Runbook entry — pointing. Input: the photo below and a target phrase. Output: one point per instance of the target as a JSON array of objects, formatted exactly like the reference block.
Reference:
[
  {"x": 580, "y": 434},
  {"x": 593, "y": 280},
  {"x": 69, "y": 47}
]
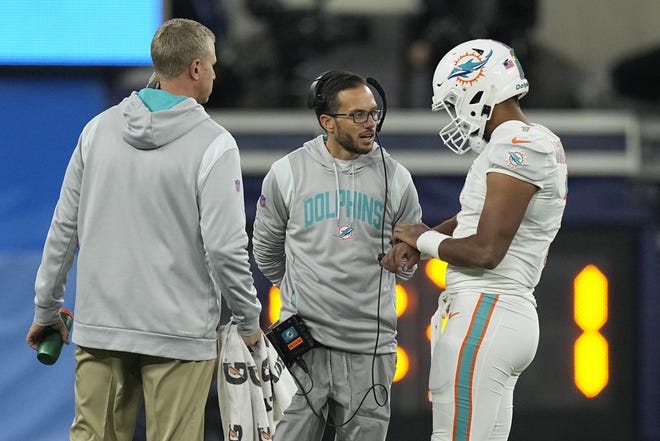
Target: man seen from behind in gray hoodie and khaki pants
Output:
[{"x": 152, "y": 201}]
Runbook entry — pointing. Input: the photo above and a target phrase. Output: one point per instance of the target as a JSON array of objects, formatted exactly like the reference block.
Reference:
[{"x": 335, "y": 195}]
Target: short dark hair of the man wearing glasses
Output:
[{"x": 327, "y": 86}]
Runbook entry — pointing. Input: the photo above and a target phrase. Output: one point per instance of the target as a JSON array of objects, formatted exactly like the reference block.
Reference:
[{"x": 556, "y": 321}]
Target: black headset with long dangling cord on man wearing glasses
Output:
[{"x": 316, "y": 99}]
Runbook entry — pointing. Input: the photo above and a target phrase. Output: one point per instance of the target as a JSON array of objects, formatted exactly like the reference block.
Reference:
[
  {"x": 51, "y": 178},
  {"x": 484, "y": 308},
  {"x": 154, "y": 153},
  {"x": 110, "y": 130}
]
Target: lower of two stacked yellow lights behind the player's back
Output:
[{"x": 591, "y": 363}]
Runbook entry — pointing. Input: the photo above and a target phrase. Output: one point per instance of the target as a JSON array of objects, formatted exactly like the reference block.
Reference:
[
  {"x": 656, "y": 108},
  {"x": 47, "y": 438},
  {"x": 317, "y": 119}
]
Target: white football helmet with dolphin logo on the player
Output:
[{"x": 468, "y": 82}]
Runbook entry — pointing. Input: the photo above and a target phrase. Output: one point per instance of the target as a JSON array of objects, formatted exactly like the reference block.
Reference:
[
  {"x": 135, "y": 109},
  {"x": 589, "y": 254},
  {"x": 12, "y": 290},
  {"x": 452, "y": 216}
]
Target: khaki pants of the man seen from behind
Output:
[{"x": 111, "y": 386}]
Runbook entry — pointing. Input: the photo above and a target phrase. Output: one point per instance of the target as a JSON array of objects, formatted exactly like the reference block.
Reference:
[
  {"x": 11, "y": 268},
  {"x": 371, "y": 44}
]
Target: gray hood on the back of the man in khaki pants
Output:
[{"x": 147, "y": 130}]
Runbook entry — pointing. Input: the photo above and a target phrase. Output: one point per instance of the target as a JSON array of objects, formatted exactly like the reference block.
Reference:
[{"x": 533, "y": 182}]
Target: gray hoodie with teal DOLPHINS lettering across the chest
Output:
[{"x": 317, "y": 235}]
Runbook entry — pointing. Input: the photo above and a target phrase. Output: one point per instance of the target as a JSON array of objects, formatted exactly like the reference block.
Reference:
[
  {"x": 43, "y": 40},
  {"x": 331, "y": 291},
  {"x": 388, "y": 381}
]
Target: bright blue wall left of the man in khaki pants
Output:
[{"x": 41, "y": 120}]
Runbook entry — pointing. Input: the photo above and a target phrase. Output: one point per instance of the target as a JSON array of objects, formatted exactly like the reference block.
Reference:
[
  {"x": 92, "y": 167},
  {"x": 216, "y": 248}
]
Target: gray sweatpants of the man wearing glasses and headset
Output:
[{"x": 337, "y": 385}]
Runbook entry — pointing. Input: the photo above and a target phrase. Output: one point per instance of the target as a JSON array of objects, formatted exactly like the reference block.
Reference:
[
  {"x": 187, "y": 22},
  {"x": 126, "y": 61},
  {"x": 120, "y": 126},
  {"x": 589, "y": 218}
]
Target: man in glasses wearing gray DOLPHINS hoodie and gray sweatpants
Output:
[{"x": 326, "y": 213}]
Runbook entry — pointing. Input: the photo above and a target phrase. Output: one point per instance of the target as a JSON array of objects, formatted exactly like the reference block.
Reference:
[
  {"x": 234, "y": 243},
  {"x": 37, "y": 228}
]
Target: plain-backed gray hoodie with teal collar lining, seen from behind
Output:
[{"x": 153, "y": 202}]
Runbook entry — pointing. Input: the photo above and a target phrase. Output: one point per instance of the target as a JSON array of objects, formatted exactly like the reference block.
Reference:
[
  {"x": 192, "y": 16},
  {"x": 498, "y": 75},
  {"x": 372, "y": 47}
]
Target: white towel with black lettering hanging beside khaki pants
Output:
[{"x": 254, "y": 388}]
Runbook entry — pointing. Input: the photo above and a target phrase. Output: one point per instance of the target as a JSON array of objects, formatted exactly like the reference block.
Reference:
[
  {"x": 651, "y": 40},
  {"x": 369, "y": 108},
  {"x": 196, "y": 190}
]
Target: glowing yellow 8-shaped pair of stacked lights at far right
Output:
[{"x": 590, "y": 312}]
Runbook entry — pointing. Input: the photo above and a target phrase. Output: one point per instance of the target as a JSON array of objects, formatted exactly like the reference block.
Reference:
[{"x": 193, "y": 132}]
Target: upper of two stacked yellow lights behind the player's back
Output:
[{"x": 590, "y": 301}]
